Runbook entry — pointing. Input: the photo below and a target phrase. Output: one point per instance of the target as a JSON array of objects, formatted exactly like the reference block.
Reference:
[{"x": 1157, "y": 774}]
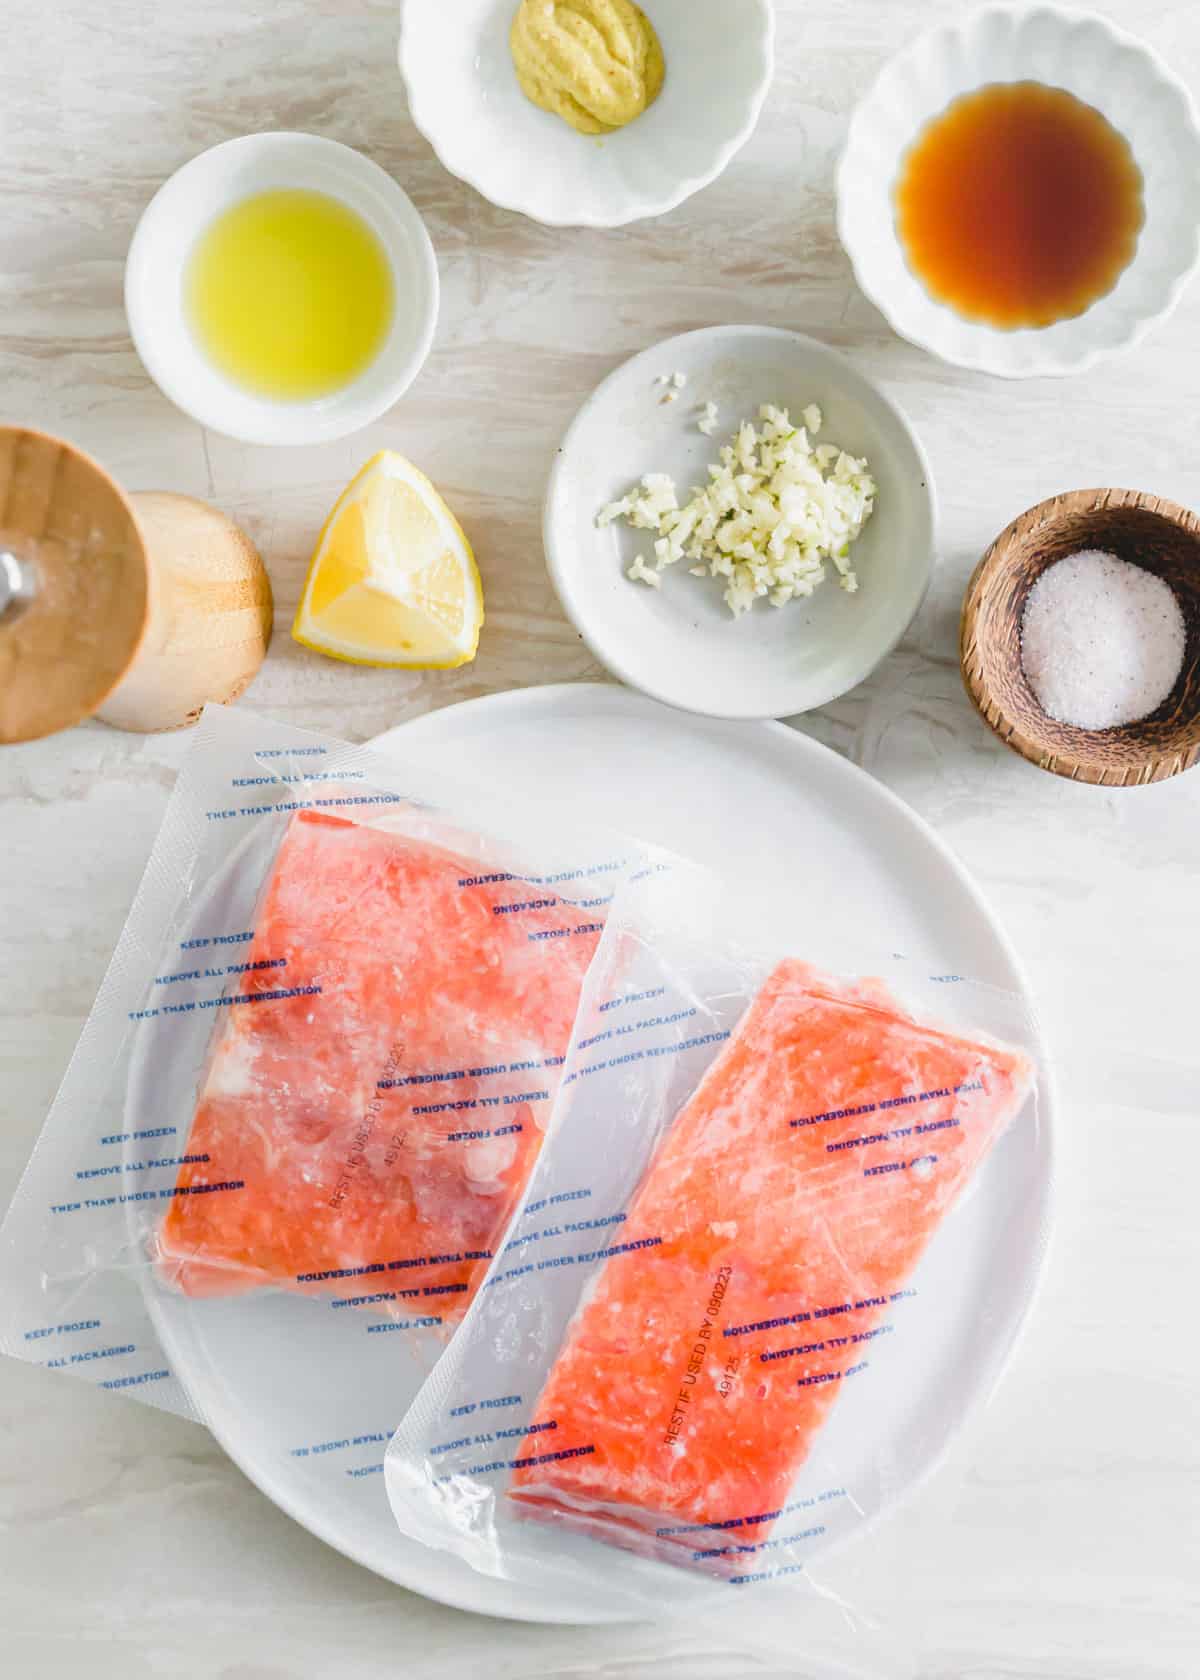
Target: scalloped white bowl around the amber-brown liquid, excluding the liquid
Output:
[{"x": 1097, "y": 63}]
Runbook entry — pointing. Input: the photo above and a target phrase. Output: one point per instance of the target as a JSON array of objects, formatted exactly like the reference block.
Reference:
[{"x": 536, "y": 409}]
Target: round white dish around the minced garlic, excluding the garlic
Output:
[{"x": 680, "y": 644}]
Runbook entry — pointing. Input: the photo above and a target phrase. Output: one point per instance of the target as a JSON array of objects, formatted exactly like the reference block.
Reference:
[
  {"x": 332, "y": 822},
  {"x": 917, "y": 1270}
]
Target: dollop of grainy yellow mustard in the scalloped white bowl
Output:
[{"x": 594, "y": 63}]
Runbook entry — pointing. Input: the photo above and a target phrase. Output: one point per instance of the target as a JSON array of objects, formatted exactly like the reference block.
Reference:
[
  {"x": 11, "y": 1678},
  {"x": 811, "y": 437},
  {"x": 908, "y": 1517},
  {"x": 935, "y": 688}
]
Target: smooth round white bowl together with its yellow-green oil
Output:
[{"x": 282, "y": 290}]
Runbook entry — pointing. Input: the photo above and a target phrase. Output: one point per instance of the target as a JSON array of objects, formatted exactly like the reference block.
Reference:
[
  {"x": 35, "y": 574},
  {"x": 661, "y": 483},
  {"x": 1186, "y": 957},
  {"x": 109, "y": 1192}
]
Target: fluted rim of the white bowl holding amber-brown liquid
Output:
[{"x": 991, "y": 357}]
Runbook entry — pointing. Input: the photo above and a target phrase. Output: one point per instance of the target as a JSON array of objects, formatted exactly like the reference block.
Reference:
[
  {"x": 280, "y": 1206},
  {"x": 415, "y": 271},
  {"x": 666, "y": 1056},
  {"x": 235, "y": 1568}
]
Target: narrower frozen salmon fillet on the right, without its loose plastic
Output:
[{"x": 786, "y": 1207}]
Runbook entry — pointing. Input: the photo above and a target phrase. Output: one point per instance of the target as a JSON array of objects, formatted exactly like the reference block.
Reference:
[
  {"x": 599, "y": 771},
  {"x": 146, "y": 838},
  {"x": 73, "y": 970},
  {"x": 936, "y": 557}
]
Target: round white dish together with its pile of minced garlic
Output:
[{"x": 739, "y": 523}]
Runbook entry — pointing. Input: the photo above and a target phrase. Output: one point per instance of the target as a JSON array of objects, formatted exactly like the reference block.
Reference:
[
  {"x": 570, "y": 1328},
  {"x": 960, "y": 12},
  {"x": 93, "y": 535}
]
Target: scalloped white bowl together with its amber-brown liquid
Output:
[{"x": 1021, "y": 191}]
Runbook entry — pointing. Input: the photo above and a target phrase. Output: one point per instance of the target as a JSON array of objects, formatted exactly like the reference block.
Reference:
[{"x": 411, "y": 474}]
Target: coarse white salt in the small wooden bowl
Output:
[{"x": 1102, "y": 641}]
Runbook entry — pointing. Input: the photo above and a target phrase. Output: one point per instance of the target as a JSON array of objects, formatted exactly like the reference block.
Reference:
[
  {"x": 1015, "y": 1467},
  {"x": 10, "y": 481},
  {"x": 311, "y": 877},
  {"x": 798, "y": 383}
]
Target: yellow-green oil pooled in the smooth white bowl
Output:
[{"x": 290, "y": 295}]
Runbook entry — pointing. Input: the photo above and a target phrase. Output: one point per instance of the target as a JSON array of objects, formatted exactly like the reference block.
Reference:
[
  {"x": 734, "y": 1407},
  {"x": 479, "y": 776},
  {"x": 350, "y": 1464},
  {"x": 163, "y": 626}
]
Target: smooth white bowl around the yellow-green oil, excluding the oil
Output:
[{"x": 187, "y": 204}]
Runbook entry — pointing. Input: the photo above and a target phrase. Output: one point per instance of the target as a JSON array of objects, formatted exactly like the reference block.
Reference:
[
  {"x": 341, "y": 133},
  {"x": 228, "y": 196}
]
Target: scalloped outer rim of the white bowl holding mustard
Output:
[{"x": 641, "y": 209}]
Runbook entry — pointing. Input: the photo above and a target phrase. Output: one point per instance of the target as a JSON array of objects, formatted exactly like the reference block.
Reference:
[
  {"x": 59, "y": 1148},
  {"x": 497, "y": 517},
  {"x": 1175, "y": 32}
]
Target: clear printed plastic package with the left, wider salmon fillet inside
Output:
[{"x": 320, "y": 1068}]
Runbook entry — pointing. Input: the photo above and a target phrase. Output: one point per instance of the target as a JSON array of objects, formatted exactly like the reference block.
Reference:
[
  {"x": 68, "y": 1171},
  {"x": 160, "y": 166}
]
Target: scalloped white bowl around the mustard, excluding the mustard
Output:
[{"x": 465, "y": 98}]
